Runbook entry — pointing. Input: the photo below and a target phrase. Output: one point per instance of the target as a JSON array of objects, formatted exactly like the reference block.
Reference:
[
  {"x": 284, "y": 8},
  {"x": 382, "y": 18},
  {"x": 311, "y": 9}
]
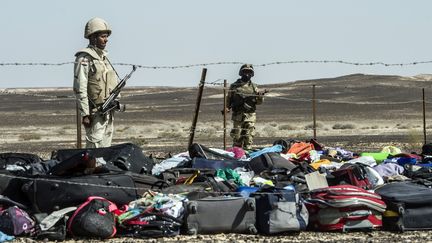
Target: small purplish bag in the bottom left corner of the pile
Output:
[{"x": 15, "y": 221}]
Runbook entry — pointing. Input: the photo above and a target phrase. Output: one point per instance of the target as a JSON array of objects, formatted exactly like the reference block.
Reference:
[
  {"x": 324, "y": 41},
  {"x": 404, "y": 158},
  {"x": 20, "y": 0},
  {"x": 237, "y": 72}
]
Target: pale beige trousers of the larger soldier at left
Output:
[{"x": 100, "y": 133}]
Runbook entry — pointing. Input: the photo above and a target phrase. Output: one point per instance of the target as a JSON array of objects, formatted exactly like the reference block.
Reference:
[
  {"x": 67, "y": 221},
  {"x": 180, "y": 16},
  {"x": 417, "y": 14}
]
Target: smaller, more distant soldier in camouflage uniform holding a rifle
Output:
[{"x": 243, "y": 96}]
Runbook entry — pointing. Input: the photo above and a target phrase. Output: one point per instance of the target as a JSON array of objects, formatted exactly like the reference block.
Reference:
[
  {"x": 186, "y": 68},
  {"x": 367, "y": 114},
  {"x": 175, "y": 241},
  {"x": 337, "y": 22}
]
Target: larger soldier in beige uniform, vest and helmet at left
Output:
[{"x": 94, "y": 79}]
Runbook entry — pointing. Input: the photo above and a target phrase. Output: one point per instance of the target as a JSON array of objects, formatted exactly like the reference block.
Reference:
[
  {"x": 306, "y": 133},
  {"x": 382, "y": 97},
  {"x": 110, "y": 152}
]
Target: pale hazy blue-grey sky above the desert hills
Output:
[{"x": 176, "y": 32}]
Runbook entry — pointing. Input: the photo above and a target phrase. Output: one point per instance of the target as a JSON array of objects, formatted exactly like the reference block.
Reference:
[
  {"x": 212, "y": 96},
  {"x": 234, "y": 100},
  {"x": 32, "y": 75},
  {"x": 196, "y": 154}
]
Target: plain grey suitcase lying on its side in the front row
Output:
[{"x": 221, "y": 215}]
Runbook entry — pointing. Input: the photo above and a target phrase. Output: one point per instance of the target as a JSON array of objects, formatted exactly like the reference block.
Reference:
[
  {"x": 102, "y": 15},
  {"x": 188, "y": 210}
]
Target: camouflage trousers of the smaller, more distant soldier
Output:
[{"x": 243, "y": 130}]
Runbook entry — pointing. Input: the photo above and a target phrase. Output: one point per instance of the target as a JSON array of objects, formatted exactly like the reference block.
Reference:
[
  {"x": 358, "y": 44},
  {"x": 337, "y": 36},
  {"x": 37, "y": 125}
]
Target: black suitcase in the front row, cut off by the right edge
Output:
[{"x": 409, "y": 206}]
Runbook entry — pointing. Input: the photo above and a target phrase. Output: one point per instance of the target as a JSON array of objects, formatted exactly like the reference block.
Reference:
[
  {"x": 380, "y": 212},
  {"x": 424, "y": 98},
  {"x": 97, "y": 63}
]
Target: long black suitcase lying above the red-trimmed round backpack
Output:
[{"x": 48, "y": 194}]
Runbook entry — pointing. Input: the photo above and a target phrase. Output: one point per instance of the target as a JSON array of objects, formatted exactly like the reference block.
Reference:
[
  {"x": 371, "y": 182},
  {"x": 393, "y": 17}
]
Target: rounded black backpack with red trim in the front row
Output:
[{"x": 94, "y": 218}]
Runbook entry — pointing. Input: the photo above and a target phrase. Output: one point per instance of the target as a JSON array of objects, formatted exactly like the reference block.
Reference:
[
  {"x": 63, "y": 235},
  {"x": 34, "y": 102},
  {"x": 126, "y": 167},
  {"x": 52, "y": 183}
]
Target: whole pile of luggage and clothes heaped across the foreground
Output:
[{"x": 291, "y": 186}]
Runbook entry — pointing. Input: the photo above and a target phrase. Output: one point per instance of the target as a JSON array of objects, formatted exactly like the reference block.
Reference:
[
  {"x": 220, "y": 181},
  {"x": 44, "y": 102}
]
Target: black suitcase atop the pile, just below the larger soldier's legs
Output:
[{"x": 127, "y": 156}]
